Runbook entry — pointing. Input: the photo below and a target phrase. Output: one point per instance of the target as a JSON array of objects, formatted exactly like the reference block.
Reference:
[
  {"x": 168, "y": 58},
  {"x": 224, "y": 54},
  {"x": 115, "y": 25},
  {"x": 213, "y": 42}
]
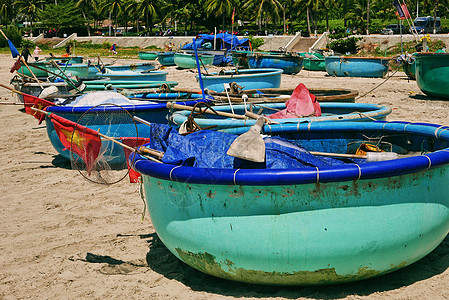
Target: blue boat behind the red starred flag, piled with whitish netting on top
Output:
[{"x": 108, "y": 119}]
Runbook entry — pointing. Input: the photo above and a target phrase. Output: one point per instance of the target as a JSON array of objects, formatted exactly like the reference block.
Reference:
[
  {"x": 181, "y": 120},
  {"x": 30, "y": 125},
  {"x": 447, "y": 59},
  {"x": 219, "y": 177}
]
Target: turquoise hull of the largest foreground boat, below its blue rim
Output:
[{"x": 309, "y": 234}]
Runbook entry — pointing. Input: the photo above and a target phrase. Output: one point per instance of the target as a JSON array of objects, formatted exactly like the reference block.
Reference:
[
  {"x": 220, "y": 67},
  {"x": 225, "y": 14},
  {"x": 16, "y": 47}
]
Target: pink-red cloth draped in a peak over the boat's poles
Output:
[{"x": 301, "y": 104}]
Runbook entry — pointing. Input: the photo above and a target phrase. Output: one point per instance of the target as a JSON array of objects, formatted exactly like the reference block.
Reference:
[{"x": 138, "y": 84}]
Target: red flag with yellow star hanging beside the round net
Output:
[{"x": 83, "y": 141}]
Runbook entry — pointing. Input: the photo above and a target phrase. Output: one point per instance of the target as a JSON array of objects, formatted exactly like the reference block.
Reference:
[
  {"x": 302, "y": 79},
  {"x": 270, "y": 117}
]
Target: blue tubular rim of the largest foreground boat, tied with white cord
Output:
[{"x": 272, "y": 177}]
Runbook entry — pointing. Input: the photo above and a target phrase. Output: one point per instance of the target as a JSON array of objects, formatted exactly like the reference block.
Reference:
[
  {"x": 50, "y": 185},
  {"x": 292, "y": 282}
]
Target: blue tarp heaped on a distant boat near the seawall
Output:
[{"x": 224, "y": 41}]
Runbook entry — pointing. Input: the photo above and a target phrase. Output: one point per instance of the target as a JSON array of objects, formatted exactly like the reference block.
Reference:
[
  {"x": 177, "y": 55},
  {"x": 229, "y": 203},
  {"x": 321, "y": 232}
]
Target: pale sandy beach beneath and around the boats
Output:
[{"x": 63, "y": 237}]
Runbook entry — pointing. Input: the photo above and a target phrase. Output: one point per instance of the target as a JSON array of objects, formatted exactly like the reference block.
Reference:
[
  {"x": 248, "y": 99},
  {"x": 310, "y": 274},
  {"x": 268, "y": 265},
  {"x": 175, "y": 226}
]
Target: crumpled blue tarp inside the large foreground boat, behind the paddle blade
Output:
[{"x": 207, "y": 149}]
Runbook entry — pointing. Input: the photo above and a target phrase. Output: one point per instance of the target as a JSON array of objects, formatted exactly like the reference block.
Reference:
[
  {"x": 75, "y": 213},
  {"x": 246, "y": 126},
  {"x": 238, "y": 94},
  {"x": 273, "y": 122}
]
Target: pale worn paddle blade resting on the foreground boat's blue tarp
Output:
[{"x": 250, "y": 145}]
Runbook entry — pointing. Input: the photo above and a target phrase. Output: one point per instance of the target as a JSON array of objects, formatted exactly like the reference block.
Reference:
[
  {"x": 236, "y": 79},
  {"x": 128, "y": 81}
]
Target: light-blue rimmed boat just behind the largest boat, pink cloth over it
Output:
[{"x": 329, "y": 112}]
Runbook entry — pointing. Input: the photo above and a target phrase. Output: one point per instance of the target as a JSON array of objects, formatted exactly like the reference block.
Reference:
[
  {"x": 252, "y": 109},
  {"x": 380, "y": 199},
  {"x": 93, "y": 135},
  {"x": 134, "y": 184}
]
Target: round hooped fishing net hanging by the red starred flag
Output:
[{"x": 105, "y": 164}]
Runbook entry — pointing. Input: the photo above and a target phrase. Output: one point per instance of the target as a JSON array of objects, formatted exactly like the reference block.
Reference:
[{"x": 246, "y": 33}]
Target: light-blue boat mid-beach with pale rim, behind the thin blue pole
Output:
[{"x": 247, "y": 78}]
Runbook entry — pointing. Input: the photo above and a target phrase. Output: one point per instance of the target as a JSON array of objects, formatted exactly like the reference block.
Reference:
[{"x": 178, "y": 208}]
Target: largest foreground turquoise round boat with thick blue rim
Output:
[{"x": 308, "y": 226}]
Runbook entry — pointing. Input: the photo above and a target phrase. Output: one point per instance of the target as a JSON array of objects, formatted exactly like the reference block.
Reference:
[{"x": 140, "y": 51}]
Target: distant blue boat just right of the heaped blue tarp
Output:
[{"x": 288, "y": 62}]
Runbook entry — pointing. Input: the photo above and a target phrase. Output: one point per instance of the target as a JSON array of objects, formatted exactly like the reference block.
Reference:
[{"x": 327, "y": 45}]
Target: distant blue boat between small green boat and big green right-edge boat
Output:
[{"x": 350, "y": 66}]
